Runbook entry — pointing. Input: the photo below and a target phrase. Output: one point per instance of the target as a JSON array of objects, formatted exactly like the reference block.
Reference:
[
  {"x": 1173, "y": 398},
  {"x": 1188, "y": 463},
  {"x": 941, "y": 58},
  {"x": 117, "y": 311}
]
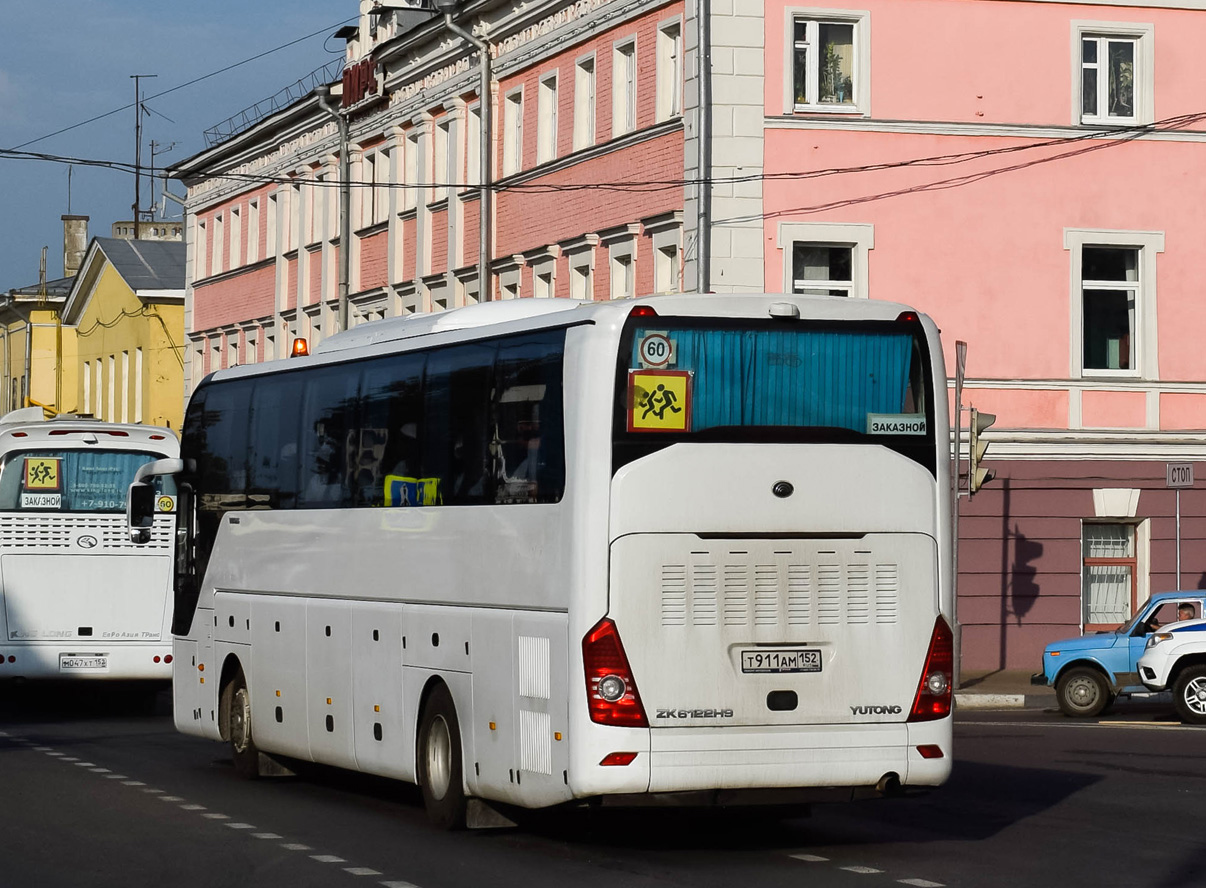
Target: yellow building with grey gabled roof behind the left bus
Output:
[{"x": 127, "y": 307}]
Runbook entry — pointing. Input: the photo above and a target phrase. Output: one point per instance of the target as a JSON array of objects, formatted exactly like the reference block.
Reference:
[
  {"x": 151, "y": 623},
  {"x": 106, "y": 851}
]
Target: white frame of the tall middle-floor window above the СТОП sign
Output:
[{"x": 1150, "y": 244}]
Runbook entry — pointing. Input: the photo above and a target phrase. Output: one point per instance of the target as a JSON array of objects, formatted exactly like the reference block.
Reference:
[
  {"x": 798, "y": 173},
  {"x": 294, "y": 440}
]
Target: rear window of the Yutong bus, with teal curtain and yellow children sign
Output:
[{"x": 803, "y": 382}]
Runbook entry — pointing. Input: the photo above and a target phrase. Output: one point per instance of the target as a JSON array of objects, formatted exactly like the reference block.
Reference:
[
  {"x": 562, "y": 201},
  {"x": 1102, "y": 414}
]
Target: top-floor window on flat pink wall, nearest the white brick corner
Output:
[{"x": 829, "y": 62}]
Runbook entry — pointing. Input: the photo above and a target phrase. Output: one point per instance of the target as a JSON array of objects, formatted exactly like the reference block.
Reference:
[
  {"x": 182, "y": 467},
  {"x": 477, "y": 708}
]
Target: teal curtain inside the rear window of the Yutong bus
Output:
[{"x": 793, "y": 378}]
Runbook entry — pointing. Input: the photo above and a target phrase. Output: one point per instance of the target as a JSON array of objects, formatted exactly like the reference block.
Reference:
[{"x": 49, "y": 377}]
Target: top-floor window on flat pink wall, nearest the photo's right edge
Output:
[{"x": 1114, "y": 73}]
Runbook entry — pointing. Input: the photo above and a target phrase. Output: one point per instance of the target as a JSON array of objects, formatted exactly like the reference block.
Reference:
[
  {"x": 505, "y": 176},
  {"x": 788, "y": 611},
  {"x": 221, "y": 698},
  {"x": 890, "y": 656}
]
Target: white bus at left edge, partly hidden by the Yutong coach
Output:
[{"x": 78, "y": 598}]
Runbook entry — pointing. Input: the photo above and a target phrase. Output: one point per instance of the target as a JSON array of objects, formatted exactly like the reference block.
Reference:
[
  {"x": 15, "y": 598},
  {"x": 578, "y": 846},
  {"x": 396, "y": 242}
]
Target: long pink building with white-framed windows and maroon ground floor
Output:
[{"x": 1023, "y": 171}]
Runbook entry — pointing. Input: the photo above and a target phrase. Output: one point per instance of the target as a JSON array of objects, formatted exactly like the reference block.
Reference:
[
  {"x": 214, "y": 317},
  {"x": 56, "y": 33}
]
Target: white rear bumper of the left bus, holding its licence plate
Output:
[{"x": 86, "y": 662}]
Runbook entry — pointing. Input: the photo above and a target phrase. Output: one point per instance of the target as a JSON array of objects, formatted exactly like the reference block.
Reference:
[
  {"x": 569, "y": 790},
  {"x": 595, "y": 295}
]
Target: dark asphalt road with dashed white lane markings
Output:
[{"x": 97, "y": 791}]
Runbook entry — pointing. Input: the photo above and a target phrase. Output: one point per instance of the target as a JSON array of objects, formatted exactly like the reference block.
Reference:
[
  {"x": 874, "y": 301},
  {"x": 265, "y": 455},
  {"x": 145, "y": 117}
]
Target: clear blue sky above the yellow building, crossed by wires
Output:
[{"x": 67, "y": 63}]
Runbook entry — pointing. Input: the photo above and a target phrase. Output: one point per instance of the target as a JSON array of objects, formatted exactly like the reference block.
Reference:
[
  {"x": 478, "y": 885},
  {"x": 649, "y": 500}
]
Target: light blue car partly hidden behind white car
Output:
[{"x": 1093, "y": 671}]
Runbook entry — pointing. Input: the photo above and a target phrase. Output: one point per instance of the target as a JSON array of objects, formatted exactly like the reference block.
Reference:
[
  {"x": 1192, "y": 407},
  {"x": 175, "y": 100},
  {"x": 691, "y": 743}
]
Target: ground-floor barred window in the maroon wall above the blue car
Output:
[{"x": 1108, "y": 579}]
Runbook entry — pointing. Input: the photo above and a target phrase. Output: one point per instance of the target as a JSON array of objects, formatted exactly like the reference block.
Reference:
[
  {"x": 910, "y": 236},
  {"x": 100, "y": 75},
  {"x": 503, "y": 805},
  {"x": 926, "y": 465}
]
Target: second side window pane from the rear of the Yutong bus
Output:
[{"x": 456, "y": 401}]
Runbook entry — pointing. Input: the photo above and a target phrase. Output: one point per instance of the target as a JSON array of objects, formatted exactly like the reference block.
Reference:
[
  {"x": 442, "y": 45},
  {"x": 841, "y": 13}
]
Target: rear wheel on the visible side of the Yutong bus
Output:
[{"x": 441, "y": 767}]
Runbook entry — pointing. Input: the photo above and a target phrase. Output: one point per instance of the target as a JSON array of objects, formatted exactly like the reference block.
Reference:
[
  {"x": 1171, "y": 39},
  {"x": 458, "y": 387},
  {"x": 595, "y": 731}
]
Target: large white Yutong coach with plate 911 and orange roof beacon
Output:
[{"x": 545, "y": 551}]
